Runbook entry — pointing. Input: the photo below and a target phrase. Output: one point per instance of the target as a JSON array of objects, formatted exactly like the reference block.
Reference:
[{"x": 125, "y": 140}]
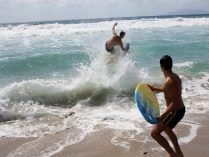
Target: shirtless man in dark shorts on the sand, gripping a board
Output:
[{"x": 175, "y": 111}]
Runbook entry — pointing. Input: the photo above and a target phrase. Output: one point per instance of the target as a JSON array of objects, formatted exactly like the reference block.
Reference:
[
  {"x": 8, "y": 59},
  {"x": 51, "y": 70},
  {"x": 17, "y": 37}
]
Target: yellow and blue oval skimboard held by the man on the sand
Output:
[{"x": 147, "y": 103}]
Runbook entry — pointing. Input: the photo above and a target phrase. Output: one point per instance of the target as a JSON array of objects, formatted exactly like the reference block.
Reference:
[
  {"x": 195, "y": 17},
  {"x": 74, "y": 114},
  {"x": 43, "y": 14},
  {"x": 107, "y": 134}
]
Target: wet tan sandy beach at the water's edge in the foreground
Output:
[{"x": 101, "y": 143}]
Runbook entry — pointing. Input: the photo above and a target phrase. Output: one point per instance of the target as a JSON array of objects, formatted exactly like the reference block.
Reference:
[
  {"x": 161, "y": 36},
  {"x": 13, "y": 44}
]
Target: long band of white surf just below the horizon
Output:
[{"x": 58, "y": 29}]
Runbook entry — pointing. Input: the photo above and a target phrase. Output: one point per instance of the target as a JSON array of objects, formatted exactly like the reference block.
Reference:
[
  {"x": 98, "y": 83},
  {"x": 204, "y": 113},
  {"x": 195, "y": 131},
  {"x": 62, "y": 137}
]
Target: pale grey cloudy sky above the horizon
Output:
[{"x": 46, "y": 10}]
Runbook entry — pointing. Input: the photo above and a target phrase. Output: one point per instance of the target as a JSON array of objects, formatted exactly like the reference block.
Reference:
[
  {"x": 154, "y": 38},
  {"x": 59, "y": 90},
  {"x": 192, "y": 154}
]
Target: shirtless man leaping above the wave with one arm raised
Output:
[{"x": 115, "y": 40}]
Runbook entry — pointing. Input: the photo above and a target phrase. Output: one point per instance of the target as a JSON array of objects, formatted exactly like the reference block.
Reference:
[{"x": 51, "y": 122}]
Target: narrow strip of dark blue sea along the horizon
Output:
[{"x": 76, "y": 21}]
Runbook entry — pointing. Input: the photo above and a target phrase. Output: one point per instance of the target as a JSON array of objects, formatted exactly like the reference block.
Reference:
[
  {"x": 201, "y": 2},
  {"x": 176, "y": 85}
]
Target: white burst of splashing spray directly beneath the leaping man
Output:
[{"x": 115, "y": 75}]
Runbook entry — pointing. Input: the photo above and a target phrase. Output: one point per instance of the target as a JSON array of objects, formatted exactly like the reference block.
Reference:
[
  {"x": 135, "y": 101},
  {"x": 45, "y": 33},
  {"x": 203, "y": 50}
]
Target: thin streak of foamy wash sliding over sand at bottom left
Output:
[{"x": 48, "y": 145}]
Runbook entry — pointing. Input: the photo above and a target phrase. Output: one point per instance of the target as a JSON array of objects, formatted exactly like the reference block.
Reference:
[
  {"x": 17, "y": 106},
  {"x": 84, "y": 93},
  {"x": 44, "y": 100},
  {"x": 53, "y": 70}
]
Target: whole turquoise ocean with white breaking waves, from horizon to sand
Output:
[{"x": 54, "y": 76}]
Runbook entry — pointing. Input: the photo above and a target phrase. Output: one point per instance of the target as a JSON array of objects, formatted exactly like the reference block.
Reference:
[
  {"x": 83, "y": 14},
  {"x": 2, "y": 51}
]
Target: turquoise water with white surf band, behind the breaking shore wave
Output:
[{"x": 57, "y": 50}]
